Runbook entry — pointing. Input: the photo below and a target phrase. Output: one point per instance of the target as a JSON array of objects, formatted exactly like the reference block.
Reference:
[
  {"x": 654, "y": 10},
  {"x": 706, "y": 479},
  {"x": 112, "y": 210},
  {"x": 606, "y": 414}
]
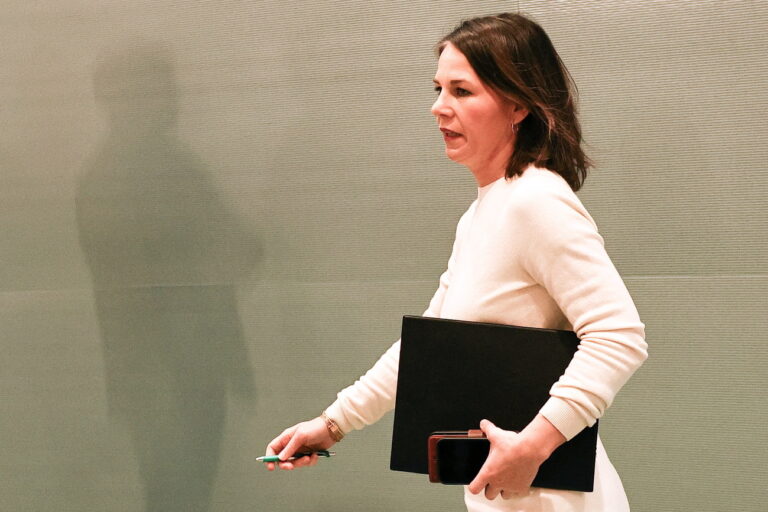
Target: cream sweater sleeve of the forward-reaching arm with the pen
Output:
[{"x": 372, "y": 395}]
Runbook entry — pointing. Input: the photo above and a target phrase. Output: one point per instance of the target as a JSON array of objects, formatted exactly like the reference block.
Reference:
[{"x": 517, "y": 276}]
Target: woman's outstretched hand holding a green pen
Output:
[{"x": 307, "y": 436}]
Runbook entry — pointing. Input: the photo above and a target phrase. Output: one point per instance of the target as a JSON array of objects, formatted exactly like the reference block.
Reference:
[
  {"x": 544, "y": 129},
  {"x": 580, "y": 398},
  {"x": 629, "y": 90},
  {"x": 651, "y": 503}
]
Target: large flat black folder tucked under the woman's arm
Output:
[{"x": 454, "y": 374}]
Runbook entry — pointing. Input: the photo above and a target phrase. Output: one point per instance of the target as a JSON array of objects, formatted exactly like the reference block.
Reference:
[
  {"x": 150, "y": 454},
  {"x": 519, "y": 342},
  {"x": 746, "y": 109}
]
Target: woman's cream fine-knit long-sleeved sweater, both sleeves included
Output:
[{"x": 527, "y": 253}]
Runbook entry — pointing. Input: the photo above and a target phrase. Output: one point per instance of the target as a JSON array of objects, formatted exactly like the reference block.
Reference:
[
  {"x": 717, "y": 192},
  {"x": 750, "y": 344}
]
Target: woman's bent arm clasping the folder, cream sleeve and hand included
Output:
[{"x": 563, "y": 253}]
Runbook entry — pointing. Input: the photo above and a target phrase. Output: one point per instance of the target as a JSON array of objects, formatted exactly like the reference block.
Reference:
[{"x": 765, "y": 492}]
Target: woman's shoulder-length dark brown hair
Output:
[{"x": 515, "y": 57}]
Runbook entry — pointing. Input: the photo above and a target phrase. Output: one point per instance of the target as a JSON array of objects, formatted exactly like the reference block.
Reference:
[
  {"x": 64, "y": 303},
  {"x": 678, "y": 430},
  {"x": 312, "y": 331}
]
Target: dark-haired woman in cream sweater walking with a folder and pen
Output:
[{"x": 526, "y": 253}]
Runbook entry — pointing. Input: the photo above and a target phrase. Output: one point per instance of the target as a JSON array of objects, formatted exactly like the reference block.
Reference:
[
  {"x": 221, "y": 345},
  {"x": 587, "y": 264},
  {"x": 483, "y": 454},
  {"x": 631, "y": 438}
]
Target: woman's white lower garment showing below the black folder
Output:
[{"x": 608, "y": 495}]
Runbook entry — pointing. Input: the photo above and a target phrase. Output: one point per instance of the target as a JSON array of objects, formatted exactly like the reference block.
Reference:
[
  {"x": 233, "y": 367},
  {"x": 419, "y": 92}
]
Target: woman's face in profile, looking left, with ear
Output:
[{"x": 475, "y": 121}]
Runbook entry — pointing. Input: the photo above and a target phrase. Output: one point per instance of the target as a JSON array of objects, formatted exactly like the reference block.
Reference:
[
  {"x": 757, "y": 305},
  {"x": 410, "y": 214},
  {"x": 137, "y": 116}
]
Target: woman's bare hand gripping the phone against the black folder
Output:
[{"x": 514, "y": 459}]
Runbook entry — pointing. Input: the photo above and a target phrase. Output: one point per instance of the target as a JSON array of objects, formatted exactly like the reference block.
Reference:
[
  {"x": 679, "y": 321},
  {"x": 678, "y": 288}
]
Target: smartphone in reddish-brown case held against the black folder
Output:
[{"x": 455, "y": 457}]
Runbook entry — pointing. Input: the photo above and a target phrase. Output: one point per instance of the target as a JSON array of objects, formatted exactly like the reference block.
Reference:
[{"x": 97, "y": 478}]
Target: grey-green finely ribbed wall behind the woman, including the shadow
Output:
[{"x": 214, "y": 214}]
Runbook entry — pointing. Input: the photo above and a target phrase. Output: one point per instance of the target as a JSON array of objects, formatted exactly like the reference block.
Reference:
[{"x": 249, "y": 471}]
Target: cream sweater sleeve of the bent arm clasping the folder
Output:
[{"x": 565, "y": 254}]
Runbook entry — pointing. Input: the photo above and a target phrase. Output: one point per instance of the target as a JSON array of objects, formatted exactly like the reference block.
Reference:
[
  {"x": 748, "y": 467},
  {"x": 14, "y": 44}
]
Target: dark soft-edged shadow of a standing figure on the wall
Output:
[{"x": 164, "y": 253}]
